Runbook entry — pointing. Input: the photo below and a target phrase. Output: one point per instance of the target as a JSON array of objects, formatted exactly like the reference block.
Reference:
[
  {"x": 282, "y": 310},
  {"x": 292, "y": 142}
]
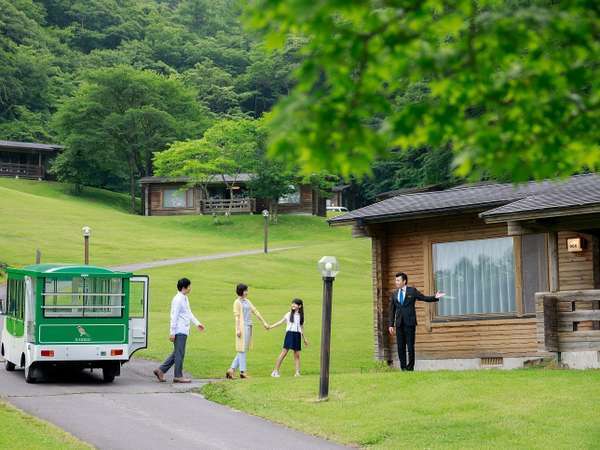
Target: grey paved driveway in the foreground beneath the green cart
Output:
[{"x": 138, "y": 412}]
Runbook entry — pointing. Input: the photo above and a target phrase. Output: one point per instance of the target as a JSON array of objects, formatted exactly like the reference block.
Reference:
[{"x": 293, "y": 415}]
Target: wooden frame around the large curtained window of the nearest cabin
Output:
[{"x": 432, "y": 316}]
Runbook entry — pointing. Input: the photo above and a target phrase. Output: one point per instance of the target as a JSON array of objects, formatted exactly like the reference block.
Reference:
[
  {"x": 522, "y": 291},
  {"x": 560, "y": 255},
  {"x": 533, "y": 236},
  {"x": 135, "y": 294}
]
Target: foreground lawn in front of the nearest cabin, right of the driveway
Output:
[{"x": 530, "y": 409}]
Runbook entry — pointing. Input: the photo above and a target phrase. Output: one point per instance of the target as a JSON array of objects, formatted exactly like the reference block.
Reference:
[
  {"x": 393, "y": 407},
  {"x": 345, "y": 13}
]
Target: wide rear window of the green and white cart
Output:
[{"x": 83, "y": 297}]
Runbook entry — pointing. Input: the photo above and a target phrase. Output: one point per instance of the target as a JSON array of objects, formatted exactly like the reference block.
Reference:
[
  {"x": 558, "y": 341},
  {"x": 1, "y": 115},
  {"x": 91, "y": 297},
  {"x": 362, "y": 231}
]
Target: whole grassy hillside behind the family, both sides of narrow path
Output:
[{"x": 274, "y": 279}]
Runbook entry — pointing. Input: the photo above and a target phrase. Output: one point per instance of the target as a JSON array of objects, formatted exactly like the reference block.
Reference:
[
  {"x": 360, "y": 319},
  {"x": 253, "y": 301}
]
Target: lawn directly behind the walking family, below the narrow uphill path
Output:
[{"x": 274, "y": 280}]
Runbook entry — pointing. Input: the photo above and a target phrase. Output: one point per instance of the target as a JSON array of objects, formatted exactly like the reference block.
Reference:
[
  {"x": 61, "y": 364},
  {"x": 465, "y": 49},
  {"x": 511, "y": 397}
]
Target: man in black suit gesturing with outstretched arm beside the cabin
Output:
[{"x": 403, "y": 318}]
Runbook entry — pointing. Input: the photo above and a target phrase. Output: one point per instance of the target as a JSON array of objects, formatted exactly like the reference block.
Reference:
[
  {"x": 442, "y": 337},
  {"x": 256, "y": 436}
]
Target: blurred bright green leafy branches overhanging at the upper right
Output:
[{"x": 512, "y": 85}]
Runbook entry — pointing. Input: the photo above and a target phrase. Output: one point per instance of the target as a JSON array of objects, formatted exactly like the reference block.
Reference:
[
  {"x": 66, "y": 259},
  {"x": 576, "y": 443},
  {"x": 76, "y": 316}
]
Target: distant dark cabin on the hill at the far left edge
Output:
[{"x": 26, "y": 159}]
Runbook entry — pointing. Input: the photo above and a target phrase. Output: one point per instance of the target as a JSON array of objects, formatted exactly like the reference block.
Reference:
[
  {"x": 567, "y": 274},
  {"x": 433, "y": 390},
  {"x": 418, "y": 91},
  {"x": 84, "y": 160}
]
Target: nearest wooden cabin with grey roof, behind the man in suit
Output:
[{"x": 520, "y": 266}]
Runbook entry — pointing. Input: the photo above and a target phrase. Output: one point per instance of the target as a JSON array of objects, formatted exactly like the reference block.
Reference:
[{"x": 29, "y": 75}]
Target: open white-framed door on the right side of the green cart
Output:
[{"x": 138, "y": 313}]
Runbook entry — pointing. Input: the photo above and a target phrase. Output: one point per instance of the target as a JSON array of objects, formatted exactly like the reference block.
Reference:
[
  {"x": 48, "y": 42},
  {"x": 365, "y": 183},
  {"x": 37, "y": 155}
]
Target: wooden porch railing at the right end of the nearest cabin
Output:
[{"x": 568, "y": 320}]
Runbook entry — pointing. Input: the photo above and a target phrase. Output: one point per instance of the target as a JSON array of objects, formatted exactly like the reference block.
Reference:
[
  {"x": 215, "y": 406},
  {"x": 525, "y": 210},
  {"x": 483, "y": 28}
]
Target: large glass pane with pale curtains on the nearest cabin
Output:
[{"x": 478, "y": 276}]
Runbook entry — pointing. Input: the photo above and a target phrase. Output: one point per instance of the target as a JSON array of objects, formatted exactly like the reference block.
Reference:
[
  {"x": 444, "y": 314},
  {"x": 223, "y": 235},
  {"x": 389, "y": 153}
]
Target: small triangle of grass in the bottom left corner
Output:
[{"x": 22, "y": 431}]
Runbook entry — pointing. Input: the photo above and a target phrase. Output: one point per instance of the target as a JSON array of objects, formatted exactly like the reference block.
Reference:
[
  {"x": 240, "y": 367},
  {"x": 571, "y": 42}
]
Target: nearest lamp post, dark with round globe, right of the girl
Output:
[{"x": 329, "y": 268}]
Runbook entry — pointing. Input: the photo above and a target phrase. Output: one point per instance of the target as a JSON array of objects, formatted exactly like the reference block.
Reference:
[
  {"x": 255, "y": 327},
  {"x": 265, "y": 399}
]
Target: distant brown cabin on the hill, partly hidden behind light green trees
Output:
[{"x": 164, "y": 196}]
